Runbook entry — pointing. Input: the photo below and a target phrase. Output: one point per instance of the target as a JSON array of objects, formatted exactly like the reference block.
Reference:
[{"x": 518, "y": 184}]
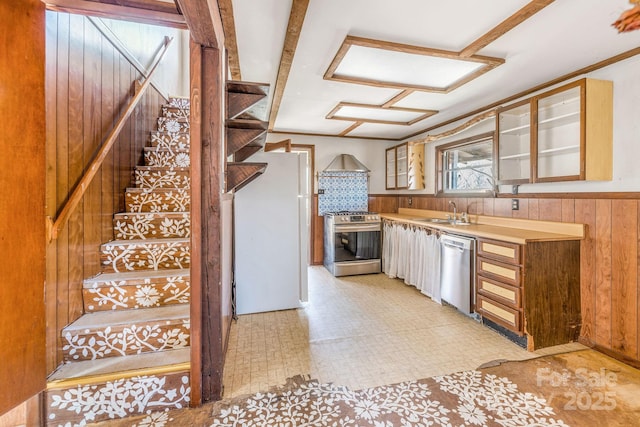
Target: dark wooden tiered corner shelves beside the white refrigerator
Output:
[{"x": 245, "y": 132}]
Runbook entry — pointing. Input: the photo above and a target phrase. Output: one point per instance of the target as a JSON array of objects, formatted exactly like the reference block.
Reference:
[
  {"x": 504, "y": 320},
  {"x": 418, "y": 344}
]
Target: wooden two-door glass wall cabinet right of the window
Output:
[{"x": 565, "y": 134}]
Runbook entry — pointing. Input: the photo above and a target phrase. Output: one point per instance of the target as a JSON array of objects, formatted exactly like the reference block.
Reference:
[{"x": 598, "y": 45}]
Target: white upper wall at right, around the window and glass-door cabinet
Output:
[{"x": 626, "y": 137}]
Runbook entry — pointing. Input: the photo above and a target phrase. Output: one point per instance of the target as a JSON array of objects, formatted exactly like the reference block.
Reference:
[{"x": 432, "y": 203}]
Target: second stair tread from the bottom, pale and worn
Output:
[{"x": 102, "y": 319}]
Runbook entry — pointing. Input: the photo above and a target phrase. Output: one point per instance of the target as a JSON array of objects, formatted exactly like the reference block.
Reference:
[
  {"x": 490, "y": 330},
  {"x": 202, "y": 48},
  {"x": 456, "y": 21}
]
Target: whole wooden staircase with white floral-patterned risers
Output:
[{"x": 129, "y": 353}]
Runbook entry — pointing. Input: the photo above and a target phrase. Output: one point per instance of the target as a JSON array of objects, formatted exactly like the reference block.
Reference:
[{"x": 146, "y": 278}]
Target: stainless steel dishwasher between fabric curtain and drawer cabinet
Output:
[{"x": 457, "y": 284}]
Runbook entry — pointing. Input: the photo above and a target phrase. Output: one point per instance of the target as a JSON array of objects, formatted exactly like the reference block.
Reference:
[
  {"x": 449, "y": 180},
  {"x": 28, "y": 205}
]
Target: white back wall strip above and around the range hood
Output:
[{"x": 369, "y": 152}]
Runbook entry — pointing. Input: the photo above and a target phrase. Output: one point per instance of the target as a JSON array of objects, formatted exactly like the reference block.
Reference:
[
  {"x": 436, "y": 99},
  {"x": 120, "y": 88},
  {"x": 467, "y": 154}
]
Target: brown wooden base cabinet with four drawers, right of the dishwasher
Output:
[{"x": 530, "y": 292}]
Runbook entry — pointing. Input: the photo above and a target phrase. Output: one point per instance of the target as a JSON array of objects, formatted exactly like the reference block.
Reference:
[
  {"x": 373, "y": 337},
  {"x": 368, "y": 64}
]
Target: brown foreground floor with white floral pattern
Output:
[{"x": 582, "y": 388}]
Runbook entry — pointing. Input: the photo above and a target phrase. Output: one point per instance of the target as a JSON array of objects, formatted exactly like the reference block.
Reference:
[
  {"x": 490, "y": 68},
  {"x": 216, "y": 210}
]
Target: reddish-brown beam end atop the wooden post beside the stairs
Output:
[{"x": 204, "y": 22}]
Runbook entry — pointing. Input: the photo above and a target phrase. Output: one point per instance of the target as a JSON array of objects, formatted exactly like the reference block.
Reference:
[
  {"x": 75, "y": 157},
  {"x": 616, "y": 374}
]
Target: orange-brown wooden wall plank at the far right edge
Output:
[{"x": 624, "y": 277}]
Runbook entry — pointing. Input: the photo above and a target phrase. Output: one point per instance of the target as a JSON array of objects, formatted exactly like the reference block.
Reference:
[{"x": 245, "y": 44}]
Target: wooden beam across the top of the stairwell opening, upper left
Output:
[{"x": 159, "y": 16}]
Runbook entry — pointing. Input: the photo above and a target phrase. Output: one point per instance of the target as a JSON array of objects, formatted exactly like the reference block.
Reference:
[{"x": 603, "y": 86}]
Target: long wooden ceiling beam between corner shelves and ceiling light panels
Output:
[{"x": 296, "y": 19}]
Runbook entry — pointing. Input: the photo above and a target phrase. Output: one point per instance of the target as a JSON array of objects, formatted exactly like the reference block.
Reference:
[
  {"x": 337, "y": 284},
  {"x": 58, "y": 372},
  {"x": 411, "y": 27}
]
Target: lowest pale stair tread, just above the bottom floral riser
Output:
[{"x": 119, "y": 366}]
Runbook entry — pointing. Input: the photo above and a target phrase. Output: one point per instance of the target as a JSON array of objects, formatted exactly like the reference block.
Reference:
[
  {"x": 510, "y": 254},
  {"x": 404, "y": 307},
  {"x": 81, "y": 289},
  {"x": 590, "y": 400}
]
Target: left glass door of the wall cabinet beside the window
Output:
[{"x": 514, "y": 143}]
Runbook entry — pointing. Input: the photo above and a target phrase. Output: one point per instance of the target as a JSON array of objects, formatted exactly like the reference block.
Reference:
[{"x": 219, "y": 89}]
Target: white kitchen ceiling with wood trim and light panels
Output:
[{"x": 563, "y": 37}]
